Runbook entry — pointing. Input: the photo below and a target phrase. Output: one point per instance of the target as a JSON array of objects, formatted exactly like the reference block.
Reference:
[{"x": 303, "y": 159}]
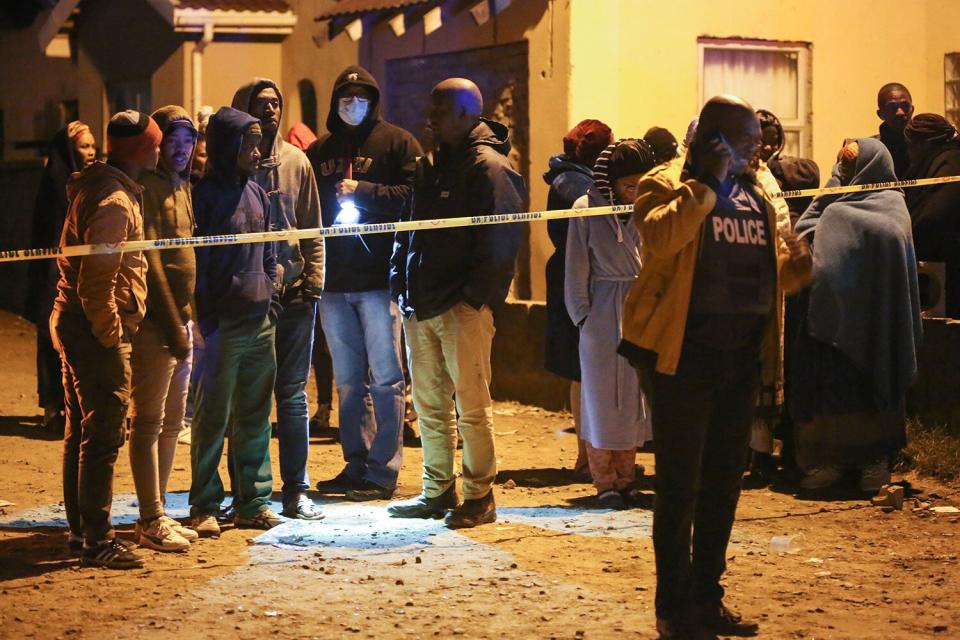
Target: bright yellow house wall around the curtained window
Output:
[{"x": 635, "y": 62}]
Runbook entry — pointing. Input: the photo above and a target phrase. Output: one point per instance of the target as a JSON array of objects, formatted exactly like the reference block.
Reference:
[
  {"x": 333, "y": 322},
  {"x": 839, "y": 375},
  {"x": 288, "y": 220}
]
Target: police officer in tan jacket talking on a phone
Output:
[{"x": 702, "y": 325}]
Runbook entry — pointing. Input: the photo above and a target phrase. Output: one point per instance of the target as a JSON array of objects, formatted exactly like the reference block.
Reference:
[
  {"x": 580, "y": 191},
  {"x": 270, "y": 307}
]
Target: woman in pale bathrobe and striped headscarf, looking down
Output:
[{"x": 602, "y": 263}]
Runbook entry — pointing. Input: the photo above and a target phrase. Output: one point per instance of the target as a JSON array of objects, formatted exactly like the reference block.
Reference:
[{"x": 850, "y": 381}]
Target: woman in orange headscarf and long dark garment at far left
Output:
[{"x": 72, "y": 149}]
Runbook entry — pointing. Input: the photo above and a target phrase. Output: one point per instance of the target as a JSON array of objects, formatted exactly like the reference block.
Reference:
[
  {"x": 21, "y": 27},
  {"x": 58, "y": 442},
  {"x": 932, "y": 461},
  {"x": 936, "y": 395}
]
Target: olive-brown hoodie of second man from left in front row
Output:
[{"x": 168, "y": 213}]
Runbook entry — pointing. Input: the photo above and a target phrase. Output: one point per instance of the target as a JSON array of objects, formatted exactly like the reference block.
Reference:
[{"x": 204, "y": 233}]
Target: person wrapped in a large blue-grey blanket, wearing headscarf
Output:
[{"x": 855, "y": 353}]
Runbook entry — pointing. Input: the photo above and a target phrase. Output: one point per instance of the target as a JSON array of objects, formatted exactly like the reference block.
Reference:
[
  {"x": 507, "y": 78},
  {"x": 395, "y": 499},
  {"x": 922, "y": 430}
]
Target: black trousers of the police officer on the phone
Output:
[{"x": 701, "y": 430}]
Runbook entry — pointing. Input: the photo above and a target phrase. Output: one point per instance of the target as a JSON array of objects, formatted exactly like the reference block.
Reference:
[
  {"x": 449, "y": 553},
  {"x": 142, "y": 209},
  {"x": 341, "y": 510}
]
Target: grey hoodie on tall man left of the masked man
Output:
[{"x": 287, "y": 178}]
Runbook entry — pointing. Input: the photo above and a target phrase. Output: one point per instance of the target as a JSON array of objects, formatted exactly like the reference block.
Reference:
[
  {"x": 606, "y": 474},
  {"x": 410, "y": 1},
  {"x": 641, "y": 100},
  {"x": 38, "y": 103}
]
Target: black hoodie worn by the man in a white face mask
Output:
[{"x": 384, "y": 160}]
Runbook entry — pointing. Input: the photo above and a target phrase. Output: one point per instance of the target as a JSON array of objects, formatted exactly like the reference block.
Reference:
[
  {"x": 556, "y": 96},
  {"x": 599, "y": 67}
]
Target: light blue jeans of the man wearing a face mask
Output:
[{"x": 363, "y": 332}]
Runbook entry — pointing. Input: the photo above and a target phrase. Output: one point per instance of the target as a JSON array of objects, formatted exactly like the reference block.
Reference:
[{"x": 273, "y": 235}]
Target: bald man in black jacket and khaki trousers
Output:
[{"x": 446, "y": 281}]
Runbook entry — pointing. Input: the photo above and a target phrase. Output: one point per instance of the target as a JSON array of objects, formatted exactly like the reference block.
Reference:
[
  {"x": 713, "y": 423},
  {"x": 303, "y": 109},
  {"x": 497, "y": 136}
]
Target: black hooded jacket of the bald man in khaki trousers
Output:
[{"x": 435, "y": 269}]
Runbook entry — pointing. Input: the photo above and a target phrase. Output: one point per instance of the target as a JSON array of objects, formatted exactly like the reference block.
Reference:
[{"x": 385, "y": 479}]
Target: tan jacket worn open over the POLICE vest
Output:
[{"x": 670, "y": 210}]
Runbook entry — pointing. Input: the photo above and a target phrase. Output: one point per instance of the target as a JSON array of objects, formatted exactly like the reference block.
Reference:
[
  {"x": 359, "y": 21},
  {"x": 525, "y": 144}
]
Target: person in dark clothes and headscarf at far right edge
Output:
[{"x": 933, "y": 146}]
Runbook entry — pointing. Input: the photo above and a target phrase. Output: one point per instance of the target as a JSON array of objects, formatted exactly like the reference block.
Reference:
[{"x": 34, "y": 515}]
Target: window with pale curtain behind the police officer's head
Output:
[{"x": 769, "y": 75}]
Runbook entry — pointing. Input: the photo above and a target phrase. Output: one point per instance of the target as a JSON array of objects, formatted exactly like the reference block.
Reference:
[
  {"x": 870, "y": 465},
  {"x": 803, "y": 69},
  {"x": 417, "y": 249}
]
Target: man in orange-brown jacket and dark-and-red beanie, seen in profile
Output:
[{"x": 99, "y": 306}]
